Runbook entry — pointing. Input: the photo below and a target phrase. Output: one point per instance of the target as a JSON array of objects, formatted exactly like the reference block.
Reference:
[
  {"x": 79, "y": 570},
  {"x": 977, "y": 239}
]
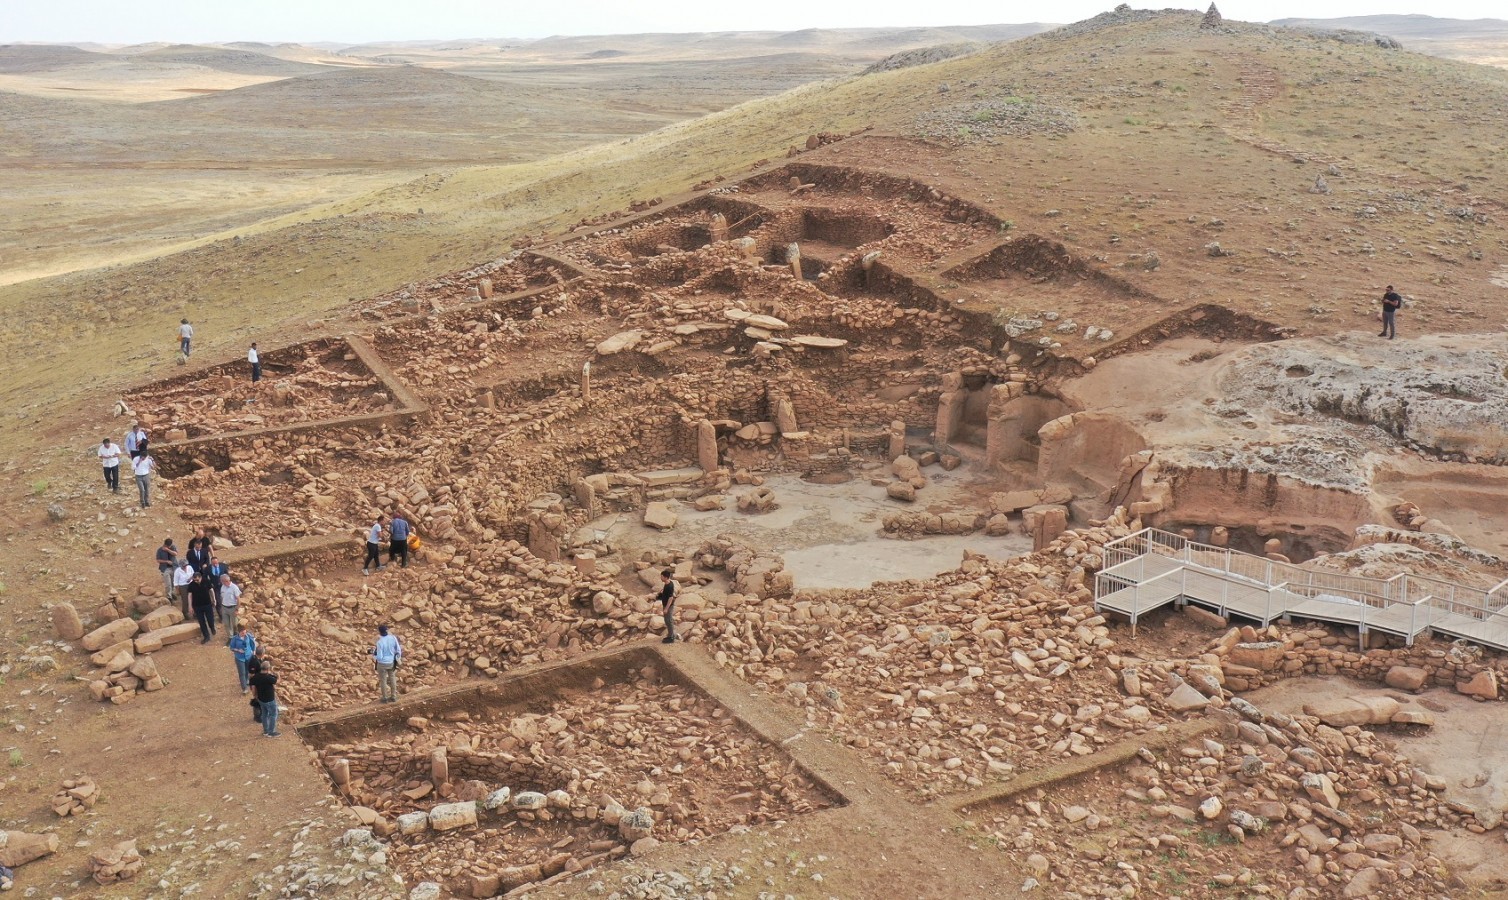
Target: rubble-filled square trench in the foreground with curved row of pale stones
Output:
[{"x": 599, "y": 776}]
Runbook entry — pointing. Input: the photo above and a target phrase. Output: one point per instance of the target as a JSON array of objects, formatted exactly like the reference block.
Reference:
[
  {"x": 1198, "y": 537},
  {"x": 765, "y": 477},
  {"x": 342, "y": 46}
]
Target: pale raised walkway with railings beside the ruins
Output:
[{"x": 1153, "y": 569}]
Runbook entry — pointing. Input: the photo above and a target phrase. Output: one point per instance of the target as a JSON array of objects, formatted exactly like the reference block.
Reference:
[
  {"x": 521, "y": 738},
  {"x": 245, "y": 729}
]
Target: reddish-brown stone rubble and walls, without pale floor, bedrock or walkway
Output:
[{"x": 679, "y": 360}]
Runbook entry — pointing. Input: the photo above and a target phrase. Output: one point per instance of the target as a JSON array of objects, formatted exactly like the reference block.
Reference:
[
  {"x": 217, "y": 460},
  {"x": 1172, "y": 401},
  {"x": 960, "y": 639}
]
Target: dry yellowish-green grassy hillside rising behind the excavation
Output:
[{"x": 1175, "y": 129}]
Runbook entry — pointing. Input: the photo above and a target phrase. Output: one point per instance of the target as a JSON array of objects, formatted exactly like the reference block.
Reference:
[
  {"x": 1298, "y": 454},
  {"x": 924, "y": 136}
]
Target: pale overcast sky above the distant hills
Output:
[{"x": 355, "y": 22}]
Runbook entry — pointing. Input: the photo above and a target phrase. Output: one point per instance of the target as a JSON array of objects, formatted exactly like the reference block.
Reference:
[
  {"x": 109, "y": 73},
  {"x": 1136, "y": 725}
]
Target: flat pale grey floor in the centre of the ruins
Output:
[{"x": 830, "y": 534}]
